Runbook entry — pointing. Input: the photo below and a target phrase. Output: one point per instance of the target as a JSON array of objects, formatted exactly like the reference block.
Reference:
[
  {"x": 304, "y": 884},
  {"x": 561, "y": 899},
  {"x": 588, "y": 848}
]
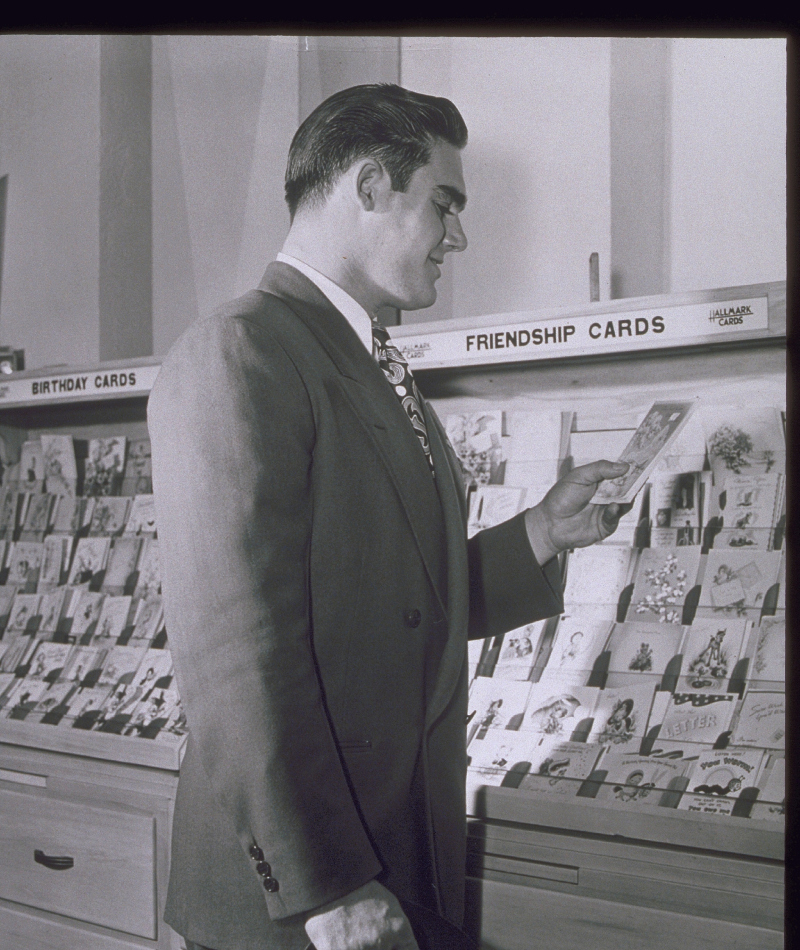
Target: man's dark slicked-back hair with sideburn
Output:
[{"x": 380, "y": 120}]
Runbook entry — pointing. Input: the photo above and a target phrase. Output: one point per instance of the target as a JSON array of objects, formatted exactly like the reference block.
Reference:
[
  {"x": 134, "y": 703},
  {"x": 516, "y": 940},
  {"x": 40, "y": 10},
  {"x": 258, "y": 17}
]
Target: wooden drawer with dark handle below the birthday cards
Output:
[{"x": 111, "y": 878}]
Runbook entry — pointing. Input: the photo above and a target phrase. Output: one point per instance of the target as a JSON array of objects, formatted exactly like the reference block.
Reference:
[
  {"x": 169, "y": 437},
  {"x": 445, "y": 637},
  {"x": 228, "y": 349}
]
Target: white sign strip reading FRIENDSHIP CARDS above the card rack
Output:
[{"x": 520, "y": 339}]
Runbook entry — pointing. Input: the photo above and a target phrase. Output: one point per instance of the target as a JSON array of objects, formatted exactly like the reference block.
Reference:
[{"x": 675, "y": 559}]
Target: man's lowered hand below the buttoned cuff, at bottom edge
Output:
[{"x": 369, "y": 918}]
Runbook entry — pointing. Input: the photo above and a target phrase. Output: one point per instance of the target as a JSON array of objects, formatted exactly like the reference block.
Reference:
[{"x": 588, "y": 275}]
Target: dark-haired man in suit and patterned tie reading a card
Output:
[{"x": 319, "y": 588}]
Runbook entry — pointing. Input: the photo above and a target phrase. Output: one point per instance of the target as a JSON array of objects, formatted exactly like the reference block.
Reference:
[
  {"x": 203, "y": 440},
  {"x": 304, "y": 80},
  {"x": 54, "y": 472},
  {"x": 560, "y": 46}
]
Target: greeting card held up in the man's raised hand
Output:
[{"x": 659, "y": 427}]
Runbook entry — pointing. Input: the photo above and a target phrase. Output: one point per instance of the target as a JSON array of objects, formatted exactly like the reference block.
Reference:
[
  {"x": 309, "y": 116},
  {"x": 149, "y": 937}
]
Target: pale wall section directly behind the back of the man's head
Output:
[{"x": 224, "y": 112}]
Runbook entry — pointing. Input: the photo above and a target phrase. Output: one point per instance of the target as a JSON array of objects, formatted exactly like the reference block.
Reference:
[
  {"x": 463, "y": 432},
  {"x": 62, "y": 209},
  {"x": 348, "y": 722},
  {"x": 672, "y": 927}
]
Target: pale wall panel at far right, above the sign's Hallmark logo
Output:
[{"x": 728, "y": 176}]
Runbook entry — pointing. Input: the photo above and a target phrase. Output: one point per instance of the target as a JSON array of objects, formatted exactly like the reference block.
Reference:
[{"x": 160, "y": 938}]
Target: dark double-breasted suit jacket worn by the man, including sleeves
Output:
[{"x": 318, "y": 591}]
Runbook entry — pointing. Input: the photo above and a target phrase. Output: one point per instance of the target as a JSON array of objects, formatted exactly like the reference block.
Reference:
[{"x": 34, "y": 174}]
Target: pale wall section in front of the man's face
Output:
[{"x": 536, "y": 167}]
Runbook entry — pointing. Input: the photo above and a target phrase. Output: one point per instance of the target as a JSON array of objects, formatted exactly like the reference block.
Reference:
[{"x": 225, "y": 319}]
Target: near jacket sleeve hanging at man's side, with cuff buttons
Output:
[{"x": 232, "y": 439}]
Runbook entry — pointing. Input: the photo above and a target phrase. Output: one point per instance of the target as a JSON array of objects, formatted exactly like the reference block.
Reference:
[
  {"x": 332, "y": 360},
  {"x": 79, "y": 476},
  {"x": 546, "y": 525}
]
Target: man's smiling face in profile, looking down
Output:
[{"x": 417, "y": 228}]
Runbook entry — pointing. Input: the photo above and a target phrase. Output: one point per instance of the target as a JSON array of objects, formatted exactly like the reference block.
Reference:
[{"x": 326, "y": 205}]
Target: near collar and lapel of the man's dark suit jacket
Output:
[{"x": 375, "y": 404}]
